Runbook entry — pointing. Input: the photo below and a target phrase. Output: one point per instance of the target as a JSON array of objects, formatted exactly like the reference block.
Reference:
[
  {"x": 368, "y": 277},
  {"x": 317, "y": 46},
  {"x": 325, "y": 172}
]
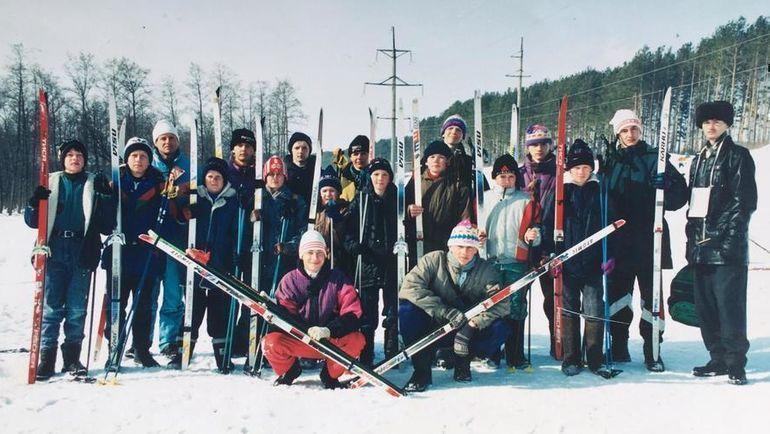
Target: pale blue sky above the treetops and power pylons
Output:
[{"x": 327, "y": 48}]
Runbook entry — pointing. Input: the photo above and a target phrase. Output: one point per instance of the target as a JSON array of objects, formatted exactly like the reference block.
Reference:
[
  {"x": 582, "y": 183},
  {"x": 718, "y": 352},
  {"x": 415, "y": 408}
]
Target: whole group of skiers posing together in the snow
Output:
[{"x": 331, "y": 278}]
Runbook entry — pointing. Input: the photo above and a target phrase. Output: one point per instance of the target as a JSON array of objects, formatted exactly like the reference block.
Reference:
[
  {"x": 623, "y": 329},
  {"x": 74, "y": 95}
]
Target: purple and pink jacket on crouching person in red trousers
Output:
[{"x": 328, "y": 300}]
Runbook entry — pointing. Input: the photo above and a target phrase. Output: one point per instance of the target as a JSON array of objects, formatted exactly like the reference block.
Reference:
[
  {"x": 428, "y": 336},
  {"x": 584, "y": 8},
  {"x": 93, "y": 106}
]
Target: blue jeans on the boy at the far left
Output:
[{"x": 66, "y": 293}]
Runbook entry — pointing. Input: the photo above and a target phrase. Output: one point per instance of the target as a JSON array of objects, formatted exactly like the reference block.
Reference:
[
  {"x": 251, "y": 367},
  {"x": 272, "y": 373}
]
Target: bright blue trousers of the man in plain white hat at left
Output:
[{"x": 172, "y": 309}]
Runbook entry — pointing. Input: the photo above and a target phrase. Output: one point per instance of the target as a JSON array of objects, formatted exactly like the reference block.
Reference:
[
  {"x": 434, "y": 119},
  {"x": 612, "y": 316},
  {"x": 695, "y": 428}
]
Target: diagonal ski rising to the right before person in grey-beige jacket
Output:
[{"x": 493, "y": 299}]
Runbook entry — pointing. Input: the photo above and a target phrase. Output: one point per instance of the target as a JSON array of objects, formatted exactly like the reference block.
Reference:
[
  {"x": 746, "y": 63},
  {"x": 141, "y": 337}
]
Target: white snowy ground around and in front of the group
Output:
[{"x": 545, "y": 401}]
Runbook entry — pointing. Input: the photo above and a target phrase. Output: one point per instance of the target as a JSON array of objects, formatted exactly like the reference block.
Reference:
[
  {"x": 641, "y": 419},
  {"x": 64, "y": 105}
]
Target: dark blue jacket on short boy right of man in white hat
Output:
[{"x": 216, "y": 226}]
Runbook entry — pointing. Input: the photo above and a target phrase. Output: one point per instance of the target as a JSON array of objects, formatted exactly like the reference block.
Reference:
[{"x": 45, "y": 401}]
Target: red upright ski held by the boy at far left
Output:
[{"x": 41, "y": 251}]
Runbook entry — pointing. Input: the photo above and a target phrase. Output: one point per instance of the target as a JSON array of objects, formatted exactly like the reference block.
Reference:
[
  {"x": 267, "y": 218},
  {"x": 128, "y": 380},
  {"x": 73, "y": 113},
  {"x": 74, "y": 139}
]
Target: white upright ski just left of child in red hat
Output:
[{"x": 256, "y": 243}]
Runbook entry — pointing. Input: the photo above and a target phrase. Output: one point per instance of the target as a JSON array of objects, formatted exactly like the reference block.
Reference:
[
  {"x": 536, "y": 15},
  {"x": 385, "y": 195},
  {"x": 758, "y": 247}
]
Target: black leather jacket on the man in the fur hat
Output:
[{"x": 732, "y": 200}]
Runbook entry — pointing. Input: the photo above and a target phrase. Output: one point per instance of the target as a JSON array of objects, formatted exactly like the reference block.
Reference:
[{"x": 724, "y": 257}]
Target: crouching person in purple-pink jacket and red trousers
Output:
[{"x": 326, "y": 301}]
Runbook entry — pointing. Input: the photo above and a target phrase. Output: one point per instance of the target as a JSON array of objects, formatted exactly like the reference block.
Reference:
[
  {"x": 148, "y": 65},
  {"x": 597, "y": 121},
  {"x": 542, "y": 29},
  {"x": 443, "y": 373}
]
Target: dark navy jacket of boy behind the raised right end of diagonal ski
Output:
[{"x": 582, "y": 218}]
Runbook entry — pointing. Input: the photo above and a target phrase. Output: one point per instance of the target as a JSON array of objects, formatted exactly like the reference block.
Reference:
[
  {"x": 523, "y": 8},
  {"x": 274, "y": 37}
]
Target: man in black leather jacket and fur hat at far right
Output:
[{"x": 723, "y": 195}]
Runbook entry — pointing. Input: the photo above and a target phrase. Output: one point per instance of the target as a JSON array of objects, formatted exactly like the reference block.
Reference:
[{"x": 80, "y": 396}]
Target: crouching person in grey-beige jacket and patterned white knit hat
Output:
[{"x": 438, "y": 290}]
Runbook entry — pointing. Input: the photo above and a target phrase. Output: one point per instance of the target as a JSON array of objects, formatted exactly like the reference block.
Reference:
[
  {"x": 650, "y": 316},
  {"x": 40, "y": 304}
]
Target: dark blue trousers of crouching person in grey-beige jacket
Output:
[{"x": 414, "y": 323}]
